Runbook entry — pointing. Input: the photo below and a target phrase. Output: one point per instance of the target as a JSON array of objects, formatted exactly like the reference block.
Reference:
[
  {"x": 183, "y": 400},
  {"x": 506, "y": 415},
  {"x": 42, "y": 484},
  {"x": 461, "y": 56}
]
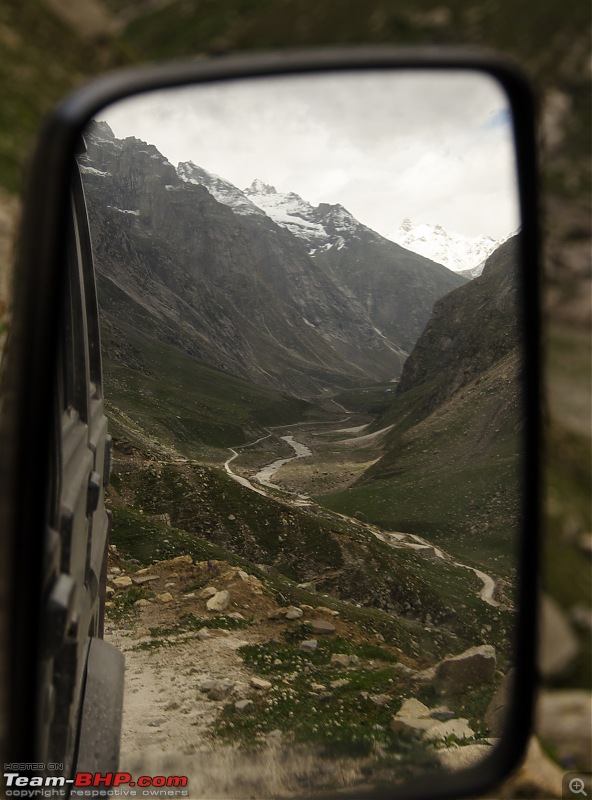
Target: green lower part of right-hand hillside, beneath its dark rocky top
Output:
[{"x": 452, "y": 477}]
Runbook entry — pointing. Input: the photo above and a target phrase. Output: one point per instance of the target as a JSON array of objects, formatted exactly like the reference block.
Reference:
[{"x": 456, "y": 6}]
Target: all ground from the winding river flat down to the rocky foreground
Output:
[{"x": 246, "y": 696}]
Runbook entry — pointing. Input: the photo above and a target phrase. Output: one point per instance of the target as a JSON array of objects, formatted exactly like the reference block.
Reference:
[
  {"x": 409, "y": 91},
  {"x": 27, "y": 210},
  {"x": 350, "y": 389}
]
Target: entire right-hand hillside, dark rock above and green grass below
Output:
[{"x": 450, "y": 468}]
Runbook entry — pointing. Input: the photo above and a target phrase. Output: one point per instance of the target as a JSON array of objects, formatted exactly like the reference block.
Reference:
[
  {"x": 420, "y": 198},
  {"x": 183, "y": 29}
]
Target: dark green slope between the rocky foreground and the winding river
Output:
[{"x": 211, "y": 514}]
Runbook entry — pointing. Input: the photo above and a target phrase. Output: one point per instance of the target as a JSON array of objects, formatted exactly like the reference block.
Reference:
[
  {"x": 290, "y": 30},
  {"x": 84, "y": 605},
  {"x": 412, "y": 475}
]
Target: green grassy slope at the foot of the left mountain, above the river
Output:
[{"x": 185, "y": 403}]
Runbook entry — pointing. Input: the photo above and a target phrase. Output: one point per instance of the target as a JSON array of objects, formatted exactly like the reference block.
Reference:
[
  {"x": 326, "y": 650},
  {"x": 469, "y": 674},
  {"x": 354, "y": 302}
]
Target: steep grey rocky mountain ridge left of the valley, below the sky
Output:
[{"x": 235, "y": 289}]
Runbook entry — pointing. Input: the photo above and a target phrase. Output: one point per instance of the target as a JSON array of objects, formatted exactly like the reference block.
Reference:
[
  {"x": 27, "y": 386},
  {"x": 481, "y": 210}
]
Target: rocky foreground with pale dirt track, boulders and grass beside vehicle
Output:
[{"x": 220, "y": 673}]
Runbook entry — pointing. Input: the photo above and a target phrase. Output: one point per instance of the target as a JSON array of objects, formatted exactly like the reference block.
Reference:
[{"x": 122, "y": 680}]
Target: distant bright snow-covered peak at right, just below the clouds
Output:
[{"x": 463, "y": 254}]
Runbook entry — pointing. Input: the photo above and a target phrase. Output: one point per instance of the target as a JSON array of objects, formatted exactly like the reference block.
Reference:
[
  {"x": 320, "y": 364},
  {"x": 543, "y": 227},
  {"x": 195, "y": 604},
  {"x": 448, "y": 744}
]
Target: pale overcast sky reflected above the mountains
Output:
[{"x": 434, "y": 147}]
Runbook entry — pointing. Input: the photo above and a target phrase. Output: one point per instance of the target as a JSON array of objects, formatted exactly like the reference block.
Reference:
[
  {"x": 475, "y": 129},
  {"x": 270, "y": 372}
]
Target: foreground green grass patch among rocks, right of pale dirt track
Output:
[{"x": 349, "y": 718}]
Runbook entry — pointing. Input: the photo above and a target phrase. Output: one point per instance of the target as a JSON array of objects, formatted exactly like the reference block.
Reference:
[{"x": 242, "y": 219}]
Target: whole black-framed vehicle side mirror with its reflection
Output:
[{"x": 270, "y": 432}]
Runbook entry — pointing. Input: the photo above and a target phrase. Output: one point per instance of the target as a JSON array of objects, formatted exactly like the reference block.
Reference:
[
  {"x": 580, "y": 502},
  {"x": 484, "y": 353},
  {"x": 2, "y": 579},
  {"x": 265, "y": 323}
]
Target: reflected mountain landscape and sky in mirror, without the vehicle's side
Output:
[{"x": 311, "y": 349}]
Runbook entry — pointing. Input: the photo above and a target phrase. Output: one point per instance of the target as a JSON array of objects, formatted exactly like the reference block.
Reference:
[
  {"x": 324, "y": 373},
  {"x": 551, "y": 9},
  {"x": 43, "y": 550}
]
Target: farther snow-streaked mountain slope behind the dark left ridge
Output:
[{"x": 395, "y": 287}]
